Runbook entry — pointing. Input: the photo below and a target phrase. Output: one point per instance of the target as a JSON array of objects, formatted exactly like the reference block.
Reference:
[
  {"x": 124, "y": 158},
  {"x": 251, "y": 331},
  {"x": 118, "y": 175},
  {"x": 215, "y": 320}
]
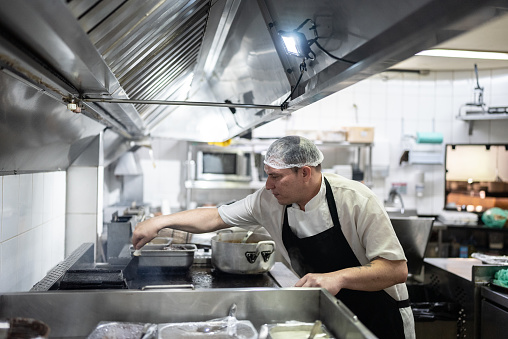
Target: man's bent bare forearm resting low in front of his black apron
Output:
[{"x": 379, "y": 274}]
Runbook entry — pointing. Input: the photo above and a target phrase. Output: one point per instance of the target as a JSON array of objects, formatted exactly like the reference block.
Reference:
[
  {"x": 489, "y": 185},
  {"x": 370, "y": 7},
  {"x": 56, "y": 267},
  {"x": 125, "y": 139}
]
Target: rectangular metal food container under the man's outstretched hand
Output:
[{"x": 176, "y": 256}]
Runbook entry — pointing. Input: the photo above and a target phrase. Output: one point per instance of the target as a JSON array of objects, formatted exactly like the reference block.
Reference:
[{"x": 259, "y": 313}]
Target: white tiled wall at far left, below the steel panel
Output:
[{"x": 32, "y": 237}]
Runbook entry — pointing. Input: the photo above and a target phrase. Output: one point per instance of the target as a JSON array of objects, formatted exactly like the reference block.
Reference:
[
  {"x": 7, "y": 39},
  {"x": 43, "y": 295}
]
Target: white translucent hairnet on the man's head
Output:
[{"x": 293, "y": 151}]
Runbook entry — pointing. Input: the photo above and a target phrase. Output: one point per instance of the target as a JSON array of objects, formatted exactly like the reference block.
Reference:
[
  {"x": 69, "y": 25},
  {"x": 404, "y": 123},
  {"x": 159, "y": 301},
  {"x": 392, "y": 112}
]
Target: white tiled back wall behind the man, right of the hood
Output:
[{"x": 398, "y": 104}]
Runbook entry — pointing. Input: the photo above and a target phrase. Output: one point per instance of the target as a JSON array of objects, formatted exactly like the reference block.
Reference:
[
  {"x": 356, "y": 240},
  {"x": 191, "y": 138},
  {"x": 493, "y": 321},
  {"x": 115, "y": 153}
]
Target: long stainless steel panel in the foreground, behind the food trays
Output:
[{"x": 76, "y": 314}]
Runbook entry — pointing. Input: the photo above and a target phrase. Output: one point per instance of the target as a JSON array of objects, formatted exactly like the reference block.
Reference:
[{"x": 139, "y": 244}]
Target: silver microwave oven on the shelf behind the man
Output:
[{"x": 223, "y": 164}]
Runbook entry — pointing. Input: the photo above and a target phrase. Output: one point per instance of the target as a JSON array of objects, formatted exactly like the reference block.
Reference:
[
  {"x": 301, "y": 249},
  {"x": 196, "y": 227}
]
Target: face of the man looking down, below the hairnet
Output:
[{"x": 285, "y": 184}]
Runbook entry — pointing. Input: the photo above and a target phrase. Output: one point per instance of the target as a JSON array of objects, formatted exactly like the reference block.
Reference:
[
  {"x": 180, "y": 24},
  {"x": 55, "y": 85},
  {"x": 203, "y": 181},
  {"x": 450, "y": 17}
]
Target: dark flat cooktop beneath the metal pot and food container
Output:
[{"x": 81, "y": 273}]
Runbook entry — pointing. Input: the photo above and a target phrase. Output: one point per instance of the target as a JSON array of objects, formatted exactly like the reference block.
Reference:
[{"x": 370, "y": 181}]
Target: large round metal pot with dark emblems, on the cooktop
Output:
[{"x": 253, "y": 257}]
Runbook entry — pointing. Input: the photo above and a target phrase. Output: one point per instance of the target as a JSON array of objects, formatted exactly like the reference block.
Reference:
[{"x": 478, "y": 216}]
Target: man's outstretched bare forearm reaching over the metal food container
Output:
[{"x": 199, "y": 220}]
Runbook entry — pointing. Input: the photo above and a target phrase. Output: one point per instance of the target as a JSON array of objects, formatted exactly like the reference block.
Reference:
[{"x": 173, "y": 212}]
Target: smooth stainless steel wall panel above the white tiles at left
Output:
[{"x": 39, "y": 134}]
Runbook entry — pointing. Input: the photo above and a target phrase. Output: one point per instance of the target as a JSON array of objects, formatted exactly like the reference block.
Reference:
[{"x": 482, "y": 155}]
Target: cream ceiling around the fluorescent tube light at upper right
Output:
[{"x": 490, "y": 37}]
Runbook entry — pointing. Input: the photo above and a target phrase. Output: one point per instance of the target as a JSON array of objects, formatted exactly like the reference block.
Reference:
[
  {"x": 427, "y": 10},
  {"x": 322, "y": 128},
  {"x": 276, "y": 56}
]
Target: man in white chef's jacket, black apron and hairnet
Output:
[{"x": 333, "y": 231}]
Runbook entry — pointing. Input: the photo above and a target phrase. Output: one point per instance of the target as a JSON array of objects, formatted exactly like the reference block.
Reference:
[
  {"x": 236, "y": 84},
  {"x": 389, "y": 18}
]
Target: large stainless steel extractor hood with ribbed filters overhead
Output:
[{"x": 115, "y": 58}]
